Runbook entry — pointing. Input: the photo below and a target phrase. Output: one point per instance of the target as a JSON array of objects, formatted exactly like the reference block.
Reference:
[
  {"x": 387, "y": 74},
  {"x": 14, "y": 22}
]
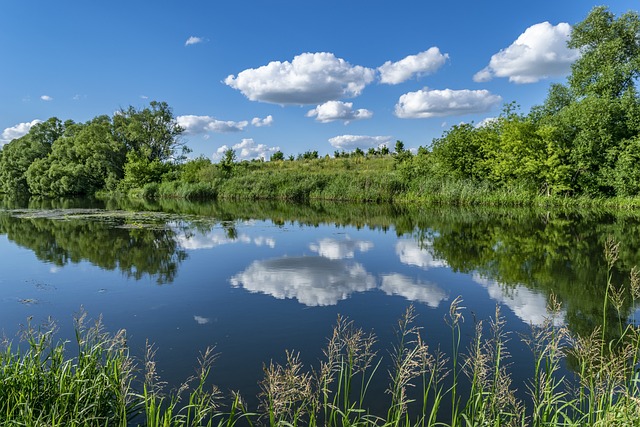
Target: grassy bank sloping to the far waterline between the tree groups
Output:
[{"x": 369, "y": 179}]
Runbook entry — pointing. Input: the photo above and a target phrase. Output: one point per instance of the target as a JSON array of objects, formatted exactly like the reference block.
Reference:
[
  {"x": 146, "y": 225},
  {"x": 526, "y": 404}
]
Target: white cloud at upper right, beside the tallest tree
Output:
[{"x": 540, "y": 52}]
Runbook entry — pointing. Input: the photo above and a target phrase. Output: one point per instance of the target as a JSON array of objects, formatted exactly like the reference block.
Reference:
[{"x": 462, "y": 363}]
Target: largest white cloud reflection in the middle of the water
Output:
[{"x": 313, "y": 281}]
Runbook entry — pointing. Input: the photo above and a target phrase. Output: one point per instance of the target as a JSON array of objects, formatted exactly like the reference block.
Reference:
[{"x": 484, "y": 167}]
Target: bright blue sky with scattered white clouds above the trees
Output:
[{"x": 289, "y": 75}]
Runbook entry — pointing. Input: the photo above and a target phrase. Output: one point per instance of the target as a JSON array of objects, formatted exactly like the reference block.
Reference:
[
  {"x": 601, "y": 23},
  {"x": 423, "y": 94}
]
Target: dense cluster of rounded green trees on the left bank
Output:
[{"x": 58, "y": 158}]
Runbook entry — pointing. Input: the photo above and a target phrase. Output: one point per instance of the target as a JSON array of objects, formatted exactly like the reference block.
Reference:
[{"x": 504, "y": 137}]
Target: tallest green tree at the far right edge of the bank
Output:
[{"x": 598, "y": 114}]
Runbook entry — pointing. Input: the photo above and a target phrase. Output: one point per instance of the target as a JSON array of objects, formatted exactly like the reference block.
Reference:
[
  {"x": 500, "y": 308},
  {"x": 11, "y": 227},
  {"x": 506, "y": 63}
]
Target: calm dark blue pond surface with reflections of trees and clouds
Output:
[{"x": 257, "y": 279}]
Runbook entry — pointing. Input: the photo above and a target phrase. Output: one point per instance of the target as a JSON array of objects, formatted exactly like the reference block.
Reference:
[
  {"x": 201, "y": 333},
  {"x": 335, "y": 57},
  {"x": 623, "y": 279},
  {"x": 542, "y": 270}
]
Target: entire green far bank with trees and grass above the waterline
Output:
[{"x": 584, "y": 140}]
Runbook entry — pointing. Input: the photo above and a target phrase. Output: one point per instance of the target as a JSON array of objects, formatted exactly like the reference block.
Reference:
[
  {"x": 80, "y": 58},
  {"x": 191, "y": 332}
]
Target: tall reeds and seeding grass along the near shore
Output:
[{"x": 44, "y": 383}]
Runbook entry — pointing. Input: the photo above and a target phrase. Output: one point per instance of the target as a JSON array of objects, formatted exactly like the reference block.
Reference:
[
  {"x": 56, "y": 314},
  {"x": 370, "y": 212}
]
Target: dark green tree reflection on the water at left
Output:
[{"x": 114, "y": 244}]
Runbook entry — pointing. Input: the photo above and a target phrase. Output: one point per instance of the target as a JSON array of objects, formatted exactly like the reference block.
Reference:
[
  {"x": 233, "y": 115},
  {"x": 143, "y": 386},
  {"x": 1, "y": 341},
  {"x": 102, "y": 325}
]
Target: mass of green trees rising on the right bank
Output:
[{"x": 581, "y": 140}]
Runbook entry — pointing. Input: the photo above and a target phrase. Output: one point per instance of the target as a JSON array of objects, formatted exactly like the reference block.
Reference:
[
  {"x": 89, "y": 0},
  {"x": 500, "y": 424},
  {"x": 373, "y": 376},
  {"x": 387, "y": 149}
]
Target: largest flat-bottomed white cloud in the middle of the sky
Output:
[{"x": 310, "y": 78}]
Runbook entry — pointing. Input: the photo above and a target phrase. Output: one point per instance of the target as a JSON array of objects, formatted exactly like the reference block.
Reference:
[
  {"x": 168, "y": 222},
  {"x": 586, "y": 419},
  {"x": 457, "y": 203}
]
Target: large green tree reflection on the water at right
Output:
[{"x": 560, "y": 253}]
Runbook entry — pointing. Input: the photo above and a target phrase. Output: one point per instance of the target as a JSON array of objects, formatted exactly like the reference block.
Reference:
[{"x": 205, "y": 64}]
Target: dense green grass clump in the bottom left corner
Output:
[{"x": 44, "y": 386}]
